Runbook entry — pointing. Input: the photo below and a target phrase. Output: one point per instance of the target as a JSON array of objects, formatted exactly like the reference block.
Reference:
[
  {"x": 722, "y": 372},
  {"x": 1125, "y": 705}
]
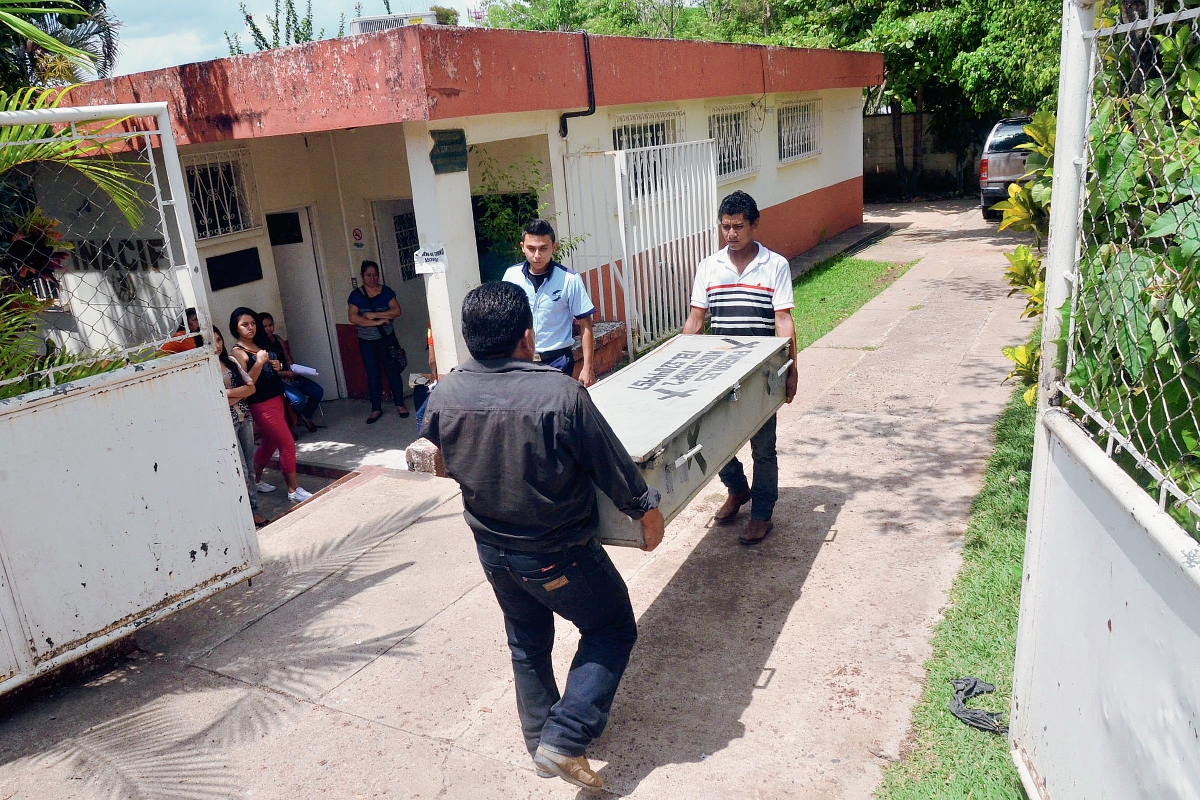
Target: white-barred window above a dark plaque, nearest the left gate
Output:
[{"x": 221, "y": 190}]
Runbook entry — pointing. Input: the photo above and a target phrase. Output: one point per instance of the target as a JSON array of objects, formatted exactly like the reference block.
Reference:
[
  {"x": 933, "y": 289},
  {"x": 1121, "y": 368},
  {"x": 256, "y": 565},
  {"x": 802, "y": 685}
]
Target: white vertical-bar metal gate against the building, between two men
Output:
[{"x": 643, "y": 221}]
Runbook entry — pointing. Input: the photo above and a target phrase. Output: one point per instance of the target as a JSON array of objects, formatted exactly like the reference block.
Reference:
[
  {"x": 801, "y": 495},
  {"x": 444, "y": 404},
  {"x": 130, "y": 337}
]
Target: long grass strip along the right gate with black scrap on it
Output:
[{"x": 945, "y": 759}]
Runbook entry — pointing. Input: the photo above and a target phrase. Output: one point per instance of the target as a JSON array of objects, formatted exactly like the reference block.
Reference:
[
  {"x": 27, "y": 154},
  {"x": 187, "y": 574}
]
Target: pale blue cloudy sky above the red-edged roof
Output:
[{"x": 166, "y": 33}]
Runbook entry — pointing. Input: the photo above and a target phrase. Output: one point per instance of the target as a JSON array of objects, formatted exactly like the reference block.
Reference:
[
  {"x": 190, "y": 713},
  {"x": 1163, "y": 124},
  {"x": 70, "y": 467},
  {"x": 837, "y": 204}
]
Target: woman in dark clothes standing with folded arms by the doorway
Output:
[{"x": 373, "y": 308}]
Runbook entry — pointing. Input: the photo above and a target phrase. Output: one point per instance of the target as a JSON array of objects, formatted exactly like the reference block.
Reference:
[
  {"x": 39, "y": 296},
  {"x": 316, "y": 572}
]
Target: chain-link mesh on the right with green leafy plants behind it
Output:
[{"x": 1133, "y": 328}]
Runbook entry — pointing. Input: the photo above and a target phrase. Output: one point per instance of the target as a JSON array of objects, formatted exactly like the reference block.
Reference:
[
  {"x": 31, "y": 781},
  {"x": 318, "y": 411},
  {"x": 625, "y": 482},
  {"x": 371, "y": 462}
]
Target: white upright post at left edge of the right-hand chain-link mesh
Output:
[{"x": 1070, "y": 167}]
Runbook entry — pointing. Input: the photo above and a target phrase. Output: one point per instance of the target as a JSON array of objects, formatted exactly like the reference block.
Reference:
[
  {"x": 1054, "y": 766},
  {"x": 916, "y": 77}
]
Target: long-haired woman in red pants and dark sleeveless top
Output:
[{"x": 266, "y": 405}]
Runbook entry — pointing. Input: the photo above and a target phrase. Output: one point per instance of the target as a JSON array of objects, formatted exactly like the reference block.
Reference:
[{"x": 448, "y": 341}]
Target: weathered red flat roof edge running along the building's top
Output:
[{"x": 434, "y": 73}]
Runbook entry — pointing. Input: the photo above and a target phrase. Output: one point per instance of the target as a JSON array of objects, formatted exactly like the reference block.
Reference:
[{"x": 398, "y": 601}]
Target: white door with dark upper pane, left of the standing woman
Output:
[{"x": 305, "y": 311}]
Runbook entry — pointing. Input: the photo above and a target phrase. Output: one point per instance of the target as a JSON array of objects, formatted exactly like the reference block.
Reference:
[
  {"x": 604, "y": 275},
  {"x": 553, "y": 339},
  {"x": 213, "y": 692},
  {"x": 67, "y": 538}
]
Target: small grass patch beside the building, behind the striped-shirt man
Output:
[{"x": 833, "y": 291}]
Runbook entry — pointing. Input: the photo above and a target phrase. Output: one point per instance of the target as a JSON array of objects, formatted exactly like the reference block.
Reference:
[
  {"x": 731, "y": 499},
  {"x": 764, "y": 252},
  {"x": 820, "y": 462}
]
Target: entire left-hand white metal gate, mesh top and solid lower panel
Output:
[{"x": 124, "y": 497}]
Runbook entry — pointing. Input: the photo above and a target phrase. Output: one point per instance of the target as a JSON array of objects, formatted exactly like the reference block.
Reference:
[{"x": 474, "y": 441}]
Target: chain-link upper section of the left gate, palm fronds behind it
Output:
[{"x": 91, "y": 254}]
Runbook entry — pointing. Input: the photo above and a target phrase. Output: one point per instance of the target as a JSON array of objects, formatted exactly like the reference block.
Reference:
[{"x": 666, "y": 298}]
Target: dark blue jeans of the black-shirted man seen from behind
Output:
[{"x": 583, "y": 586}]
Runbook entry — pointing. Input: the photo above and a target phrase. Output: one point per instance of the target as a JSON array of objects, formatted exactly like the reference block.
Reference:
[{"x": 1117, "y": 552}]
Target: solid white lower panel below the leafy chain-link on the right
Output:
[{"x": 1106, "y": 697}]
